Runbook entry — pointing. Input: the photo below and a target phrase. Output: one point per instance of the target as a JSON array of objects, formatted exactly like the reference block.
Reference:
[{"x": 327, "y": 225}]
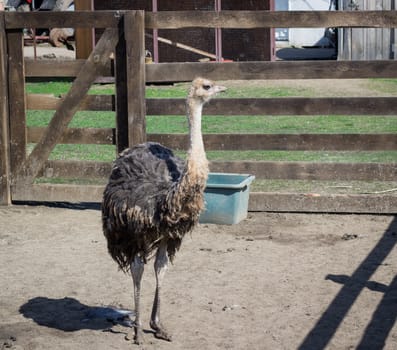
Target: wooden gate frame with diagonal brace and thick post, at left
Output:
[{"x": 123, "y": 37}]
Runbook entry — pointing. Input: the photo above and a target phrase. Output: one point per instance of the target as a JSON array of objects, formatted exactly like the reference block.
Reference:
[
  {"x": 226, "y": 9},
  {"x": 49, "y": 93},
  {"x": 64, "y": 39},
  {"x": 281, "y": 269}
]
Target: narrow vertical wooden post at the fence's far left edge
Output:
[{"x": 5, "y": 190}]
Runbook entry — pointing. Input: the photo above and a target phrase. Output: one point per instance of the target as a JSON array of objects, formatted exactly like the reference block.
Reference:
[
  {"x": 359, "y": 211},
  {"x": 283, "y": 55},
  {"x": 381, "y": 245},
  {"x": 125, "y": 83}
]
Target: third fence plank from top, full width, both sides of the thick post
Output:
[{"x": 386, "y": 106}]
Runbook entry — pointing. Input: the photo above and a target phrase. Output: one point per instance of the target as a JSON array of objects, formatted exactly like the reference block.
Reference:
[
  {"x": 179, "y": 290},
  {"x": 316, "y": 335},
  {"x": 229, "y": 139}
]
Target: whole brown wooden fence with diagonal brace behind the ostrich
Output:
[{"x": 125, "y": 36}]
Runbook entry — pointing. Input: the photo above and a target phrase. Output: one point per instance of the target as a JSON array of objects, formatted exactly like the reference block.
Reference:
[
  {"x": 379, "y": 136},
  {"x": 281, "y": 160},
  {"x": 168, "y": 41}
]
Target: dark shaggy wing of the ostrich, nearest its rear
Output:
[{"x": 134, "y": 201}]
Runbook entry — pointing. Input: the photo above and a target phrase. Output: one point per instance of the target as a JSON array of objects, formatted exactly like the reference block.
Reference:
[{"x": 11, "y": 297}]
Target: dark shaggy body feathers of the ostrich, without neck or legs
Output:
[{"x": 151, "y": 196}]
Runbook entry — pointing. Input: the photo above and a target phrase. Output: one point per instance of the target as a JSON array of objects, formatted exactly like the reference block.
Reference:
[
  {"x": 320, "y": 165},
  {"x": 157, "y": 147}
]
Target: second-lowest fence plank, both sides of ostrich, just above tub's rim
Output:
[{"x": 261, "y": 170}]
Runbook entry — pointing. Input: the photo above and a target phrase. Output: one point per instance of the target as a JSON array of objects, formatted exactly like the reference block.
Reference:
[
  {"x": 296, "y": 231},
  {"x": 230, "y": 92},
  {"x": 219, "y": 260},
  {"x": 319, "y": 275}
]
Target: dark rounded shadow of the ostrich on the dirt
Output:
[{"x": 69, "y": 315}]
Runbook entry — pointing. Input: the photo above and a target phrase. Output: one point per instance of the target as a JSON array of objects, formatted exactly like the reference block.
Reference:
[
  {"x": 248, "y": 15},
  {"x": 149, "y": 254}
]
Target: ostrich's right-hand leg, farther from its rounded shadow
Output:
[{"x": 160, "y": 267}]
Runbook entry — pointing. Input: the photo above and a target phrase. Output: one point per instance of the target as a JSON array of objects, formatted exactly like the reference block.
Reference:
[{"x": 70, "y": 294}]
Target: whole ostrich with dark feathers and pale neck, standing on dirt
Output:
[{"x": 152, "y": 199}]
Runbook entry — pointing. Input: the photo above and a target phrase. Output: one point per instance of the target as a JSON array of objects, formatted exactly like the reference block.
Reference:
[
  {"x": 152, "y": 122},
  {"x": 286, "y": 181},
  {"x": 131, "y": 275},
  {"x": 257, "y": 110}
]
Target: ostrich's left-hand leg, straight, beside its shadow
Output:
[{"x": 137, "y": 268}]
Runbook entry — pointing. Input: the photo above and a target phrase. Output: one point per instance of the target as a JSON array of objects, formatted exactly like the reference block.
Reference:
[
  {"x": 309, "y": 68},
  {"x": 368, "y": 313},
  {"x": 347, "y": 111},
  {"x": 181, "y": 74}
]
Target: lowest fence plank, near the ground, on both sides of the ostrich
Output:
[{"x": 258, "y": 201}]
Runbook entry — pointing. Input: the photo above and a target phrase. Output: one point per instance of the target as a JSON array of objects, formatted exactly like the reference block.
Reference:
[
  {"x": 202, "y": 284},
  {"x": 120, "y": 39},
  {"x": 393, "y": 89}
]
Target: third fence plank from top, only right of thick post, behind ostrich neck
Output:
[{"x": 281, "y": 106}]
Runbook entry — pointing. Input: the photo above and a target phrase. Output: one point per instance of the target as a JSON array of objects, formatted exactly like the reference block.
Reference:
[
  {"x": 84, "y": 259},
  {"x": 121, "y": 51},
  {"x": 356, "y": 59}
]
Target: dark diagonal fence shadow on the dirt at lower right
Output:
[{"x": 384, "y": 316}]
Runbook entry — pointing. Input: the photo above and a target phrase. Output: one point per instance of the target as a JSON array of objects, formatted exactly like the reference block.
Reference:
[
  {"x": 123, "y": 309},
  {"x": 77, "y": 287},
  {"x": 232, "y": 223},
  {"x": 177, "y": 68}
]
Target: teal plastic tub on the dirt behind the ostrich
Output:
[{"x": 226, "y": 198}]
